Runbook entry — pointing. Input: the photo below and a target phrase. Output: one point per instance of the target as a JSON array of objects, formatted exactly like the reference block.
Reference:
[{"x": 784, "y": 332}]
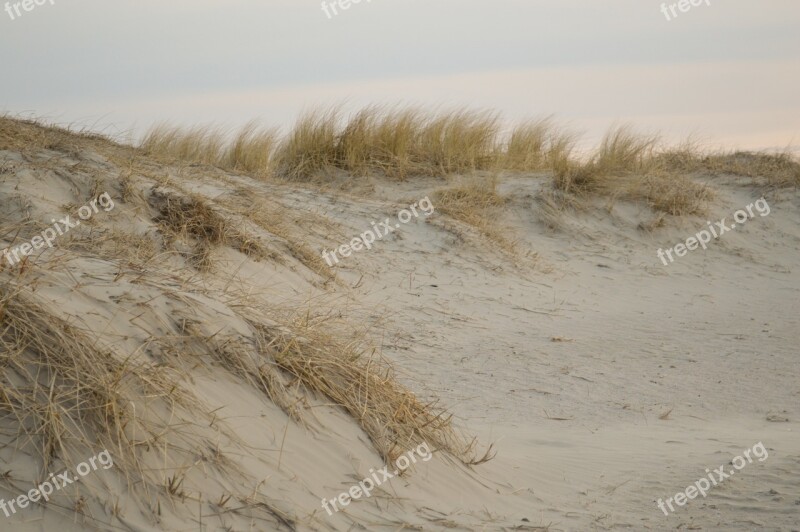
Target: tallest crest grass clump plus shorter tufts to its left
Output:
[{"x": 396, "y": 142}]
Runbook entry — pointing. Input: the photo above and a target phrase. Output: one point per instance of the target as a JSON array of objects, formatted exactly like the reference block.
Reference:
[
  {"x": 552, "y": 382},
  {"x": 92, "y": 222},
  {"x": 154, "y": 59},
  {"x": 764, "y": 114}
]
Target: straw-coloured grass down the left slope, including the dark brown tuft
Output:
[{"x": 65, "y": 390}]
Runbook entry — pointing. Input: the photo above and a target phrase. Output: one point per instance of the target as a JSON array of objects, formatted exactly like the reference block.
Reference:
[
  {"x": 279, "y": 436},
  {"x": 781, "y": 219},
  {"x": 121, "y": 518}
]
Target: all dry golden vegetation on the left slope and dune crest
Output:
[{"x": 190, "y": 199}]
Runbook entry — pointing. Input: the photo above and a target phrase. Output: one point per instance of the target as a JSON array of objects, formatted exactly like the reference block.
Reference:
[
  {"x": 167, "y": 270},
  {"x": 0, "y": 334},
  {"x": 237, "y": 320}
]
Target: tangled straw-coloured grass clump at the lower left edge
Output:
[{"x": 69, "y": 392}]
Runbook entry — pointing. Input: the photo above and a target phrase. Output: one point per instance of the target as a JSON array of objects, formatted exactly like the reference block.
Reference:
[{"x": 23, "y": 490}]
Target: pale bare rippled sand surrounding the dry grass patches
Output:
[{"x": 604, "y": 379}]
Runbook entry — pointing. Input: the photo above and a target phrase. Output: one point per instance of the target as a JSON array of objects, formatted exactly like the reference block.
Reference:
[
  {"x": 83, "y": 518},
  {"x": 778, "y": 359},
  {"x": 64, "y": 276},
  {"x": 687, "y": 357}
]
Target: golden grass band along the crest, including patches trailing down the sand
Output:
[{"x": 406, "y": 142}]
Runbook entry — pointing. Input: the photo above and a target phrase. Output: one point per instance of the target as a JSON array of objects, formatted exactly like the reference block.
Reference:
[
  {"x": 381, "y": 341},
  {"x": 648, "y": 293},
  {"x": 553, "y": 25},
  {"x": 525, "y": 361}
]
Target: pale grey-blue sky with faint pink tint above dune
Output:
[{"x": 724, "y": 72}]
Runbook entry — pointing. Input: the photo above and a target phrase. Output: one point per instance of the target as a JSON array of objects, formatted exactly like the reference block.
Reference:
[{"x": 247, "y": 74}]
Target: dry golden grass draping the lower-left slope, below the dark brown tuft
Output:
[{"x": 68, "y": 392}]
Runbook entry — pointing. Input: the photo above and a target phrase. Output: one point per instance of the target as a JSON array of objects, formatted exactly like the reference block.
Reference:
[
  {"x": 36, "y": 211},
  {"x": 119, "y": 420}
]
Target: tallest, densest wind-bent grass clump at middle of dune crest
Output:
[{"x": 395, "y": 142}]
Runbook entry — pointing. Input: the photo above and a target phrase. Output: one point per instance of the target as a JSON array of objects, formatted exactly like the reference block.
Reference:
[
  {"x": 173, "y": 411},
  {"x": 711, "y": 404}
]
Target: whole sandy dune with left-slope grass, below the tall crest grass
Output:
[{"x": 196, "y": 333}]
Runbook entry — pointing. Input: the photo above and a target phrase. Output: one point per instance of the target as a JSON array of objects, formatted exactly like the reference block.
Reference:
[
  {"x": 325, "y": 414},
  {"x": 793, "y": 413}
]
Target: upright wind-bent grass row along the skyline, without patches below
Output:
[{"x": 402, "y": 142}]
